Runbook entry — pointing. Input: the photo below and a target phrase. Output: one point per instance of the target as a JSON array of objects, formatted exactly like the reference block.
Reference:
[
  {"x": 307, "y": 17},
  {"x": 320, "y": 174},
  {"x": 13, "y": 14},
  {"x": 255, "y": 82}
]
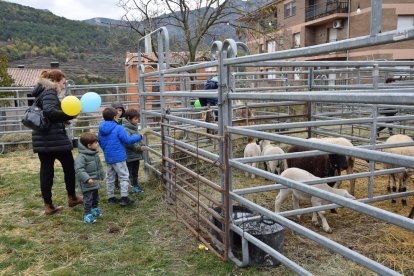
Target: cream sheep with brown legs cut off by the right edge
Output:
[{"x": 404, "y": 176}]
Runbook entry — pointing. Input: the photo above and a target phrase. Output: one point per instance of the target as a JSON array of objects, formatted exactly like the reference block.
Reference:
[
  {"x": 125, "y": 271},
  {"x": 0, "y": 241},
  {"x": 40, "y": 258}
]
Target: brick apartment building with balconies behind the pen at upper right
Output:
[{"x": 292, "y": 23}]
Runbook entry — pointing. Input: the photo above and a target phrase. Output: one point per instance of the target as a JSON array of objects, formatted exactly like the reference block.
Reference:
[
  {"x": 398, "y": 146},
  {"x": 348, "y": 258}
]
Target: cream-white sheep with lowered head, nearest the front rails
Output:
[{"x": 302, "y": 175}]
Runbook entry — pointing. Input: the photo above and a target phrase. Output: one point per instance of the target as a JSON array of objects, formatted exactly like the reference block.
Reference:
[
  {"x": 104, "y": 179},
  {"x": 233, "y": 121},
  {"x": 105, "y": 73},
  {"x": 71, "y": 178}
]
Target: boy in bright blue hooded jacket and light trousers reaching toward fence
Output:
[{"x": 112, "y": 138}]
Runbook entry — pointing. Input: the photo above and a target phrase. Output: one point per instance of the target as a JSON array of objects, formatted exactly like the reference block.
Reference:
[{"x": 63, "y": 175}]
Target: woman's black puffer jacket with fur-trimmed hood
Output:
[{"x": 54, "y": 139}]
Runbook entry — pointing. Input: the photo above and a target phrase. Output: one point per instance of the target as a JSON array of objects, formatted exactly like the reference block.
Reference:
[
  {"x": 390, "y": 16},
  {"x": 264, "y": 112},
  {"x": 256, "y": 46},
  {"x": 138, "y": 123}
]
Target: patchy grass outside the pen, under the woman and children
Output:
[{"x": 141, "y": 240}]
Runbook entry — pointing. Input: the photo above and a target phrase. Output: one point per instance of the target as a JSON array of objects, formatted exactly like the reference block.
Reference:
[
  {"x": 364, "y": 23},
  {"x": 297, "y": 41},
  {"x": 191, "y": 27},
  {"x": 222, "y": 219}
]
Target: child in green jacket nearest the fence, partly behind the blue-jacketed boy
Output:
[{"x": 134, "y": 151}]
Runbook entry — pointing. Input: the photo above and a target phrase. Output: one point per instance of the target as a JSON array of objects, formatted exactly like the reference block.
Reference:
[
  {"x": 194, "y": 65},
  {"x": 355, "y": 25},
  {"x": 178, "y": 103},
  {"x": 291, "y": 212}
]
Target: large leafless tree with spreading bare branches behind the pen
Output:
[{"x": 197, "y": 20}]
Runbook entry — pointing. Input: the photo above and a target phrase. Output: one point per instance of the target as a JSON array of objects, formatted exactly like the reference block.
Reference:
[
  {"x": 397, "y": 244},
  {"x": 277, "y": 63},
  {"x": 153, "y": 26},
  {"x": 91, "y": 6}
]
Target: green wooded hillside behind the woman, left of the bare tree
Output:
[{"x": 34, "y": 38}]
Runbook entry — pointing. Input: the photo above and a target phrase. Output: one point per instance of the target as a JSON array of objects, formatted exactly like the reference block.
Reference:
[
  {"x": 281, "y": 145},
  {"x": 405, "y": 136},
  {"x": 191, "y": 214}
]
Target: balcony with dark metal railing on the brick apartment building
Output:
[{"x": 326, "y": 8}]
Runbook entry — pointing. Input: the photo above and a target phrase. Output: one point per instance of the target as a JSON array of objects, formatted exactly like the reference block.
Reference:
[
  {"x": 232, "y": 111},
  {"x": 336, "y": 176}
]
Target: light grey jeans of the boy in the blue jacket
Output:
[{"x": 121, "y": 170}]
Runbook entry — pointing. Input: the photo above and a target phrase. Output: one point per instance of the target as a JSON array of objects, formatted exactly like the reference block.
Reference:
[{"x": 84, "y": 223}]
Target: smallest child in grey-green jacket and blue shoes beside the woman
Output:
[{"x": 89, "y": 174}]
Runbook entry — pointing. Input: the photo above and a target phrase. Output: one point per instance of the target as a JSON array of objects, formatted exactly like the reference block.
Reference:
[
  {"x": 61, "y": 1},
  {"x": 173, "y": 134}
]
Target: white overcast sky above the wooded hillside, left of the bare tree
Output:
[{"x": 76, "y": 9}]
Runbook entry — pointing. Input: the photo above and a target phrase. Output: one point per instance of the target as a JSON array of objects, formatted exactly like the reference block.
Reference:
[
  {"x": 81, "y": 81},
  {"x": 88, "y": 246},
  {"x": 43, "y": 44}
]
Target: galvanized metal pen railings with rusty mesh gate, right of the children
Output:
[{"x": 203, "y": 199}]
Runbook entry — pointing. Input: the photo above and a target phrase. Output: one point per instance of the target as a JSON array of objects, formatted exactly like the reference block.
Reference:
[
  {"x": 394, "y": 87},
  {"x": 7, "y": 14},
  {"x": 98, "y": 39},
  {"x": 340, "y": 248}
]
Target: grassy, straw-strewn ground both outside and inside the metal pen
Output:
[{"x": 147, "y": 240}]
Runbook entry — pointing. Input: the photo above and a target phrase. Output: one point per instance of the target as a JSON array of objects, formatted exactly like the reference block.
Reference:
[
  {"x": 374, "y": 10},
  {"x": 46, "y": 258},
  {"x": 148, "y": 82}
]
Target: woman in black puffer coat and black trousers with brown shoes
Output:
[{"x": 53, "y": 143}]
